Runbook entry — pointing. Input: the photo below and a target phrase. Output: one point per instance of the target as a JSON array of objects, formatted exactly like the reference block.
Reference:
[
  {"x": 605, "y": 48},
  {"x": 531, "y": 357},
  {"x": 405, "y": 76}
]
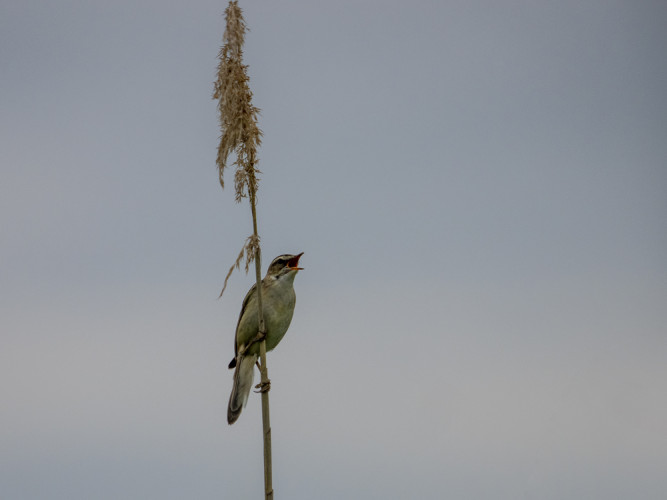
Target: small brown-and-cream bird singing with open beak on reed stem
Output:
[{"x": 278, "y": 301}]
